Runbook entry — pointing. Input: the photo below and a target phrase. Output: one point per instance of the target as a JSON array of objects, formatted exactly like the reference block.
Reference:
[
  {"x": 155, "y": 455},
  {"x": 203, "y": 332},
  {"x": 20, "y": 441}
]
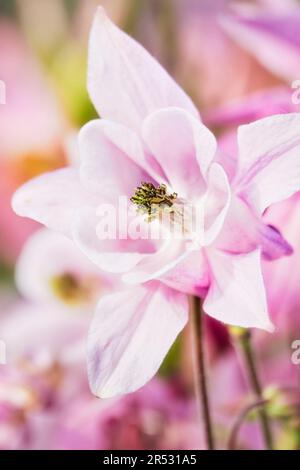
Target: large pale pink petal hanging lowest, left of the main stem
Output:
[{"x": 130, "y": 335}]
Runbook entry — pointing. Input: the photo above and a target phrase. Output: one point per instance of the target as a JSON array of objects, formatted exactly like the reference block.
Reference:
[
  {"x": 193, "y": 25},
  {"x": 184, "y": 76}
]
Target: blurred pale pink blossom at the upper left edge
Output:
[{"x": 40, "y": 130}]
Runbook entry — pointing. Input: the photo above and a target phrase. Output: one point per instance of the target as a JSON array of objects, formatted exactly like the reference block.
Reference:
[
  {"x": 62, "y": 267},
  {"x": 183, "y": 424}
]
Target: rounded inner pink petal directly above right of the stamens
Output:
[{"x": 183, "y": 146}]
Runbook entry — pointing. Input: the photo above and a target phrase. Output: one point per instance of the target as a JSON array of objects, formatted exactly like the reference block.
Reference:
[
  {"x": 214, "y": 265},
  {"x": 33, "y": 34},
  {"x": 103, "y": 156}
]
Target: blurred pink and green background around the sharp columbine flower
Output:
[{"x": 240, "y": 61}]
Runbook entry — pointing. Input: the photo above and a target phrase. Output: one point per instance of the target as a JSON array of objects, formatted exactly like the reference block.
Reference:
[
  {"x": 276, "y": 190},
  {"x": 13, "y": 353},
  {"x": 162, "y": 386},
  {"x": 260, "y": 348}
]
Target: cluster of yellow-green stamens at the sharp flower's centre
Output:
[{"x": 153, "y": 200}]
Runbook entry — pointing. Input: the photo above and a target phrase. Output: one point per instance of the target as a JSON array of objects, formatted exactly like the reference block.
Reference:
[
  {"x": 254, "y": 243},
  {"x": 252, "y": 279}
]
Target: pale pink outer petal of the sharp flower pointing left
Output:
[{"x": 52, "y": 199}]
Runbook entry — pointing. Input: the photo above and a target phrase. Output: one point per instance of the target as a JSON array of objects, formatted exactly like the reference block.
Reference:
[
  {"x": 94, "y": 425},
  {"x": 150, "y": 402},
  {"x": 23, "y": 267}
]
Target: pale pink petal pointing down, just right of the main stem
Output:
[{"x": 237, "y": 295}]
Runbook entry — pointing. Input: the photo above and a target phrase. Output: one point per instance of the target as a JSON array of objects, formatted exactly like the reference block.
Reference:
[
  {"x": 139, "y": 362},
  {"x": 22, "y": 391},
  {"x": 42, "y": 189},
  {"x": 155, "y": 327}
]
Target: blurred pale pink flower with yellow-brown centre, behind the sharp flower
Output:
[{"x": 52, "y": 270}]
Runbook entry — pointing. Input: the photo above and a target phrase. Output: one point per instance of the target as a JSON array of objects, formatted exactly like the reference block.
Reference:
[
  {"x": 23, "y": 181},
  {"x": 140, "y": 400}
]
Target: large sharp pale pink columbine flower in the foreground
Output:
[{"x": 151, "y": 132}]
